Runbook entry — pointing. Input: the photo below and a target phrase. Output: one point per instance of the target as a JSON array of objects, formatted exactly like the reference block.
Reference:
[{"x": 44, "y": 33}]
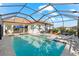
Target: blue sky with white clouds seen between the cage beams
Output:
[{"x": 36, "y": 16}]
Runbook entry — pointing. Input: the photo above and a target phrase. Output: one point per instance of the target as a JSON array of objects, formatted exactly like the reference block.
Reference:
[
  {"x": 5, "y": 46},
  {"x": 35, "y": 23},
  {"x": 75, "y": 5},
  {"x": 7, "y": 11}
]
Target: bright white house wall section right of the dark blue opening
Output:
[{"x": 37, "y": 28}]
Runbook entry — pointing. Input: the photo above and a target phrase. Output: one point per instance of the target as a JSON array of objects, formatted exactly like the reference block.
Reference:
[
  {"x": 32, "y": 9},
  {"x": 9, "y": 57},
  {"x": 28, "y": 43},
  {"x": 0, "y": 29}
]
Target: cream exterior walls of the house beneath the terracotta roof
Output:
[{"x": 32, "y": 28}]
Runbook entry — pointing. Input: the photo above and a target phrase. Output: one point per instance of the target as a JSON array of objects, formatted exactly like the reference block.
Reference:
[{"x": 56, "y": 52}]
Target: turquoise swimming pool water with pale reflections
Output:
[{"x": 29, "y": 45}]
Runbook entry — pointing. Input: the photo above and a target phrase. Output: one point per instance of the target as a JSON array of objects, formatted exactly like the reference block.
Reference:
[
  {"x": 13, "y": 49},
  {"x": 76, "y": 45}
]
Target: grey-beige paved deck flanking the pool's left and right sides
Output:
[{"x": 6, "y": 48}]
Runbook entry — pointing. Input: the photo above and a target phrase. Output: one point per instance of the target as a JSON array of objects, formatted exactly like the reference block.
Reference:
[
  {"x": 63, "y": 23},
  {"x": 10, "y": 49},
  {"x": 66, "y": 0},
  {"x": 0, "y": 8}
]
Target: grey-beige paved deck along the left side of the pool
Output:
[{"x": 6, "y": 46}]
